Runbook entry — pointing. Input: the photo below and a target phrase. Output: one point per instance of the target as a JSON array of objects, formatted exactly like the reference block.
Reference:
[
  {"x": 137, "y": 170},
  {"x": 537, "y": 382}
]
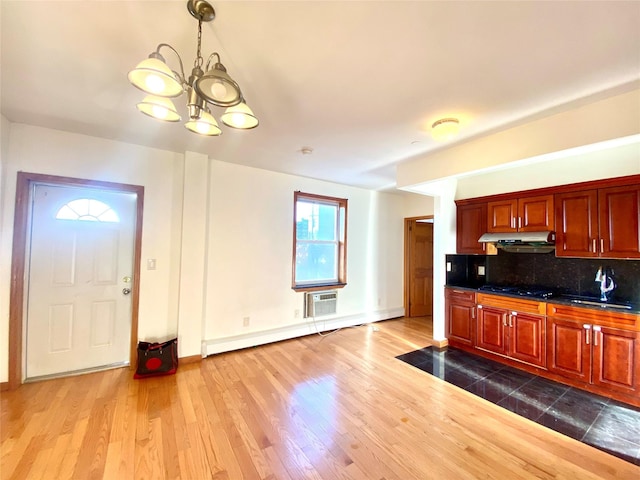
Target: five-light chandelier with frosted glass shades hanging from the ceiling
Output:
[{"x": 213, "y": 85}]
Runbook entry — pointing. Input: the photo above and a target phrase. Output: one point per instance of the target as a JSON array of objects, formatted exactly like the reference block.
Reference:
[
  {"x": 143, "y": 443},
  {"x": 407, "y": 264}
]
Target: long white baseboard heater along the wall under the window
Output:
[{"x": 305, "y": 327}]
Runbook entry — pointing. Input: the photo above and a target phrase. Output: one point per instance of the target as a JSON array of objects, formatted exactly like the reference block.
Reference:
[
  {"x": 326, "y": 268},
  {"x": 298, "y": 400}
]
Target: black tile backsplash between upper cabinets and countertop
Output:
[{"x": 563, "y": 275}]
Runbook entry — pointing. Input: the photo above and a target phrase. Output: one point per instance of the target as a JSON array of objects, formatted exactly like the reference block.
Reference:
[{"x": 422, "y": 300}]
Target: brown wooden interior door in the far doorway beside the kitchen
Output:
[{"x": 420, "y": 268}]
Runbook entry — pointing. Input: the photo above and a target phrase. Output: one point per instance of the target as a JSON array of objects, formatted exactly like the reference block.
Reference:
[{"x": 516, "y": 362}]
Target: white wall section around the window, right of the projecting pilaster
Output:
[{"x": 250, "y": 257}]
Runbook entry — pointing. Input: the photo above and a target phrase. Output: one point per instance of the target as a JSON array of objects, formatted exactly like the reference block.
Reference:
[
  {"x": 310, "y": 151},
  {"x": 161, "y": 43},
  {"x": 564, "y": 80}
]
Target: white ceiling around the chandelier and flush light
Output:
[{"x": 359, "y": 82}]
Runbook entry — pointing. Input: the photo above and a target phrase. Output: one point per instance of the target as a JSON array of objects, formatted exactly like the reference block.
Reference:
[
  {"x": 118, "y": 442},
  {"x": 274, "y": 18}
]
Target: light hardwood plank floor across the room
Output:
[{"x": 334, "y": 407}]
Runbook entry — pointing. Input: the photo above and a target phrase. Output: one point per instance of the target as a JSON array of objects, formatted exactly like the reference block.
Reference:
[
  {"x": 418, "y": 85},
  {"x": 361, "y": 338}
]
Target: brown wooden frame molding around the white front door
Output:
[{"x": 22, "y": 219}]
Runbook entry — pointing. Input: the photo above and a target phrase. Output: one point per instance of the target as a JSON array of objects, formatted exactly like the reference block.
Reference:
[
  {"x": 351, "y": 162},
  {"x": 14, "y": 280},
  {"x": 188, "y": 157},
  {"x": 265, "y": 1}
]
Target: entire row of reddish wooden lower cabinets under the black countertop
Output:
[{"x": 592, "y": 349}]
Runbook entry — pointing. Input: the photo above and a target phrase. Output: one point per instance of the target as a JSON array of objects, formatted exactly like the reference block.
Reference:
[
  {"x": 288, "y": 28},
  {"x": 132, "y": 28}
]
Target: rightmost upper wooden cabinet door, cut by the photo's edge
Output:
[{"x": 619, "y": 209}]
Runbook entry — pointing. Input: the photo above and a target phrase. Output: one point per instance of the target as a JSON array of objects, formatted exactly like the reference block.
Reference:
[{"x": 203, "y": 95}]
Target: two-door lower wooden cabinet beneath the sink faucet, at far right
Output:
[{"x": 601, "y": 349}]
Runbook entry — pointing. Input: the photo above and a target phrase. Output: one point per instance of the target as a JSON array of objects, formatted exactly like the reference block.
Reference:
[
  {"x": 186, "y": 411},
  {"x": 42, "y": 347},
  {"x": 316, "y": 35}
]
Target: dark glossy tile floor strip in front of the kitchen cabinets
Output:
[{"x": 598, "y": 421}]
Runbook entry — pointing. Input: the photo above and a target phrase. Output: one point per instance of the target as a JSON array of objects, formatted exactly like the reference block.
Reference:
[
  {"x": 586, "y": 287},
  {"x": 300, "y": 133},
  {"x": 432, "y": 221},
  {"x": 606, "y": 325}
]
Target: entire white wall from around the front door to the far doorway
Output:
[{"x": 221, "y": 235}]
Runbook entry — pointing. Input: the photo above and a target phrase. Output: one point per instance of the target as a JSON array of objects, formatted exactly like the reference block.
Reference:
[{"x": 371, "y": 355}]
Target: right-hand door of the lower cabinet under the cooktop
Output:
[{"x": 527, "y": 338}]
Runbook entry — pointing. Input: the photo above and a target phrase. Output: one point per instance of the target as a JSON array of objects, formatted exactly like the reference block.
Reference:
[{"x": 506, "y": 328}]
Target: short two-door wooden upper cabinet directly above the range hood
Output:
[{"x": 528, "y": 214}]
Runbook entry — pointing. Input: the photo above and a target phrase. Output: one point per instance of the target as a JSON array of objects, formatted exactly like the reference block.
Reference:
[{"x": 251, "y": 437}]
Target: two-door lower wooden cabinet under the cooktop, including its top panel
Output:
[{"x": 512, "y": 327}]
